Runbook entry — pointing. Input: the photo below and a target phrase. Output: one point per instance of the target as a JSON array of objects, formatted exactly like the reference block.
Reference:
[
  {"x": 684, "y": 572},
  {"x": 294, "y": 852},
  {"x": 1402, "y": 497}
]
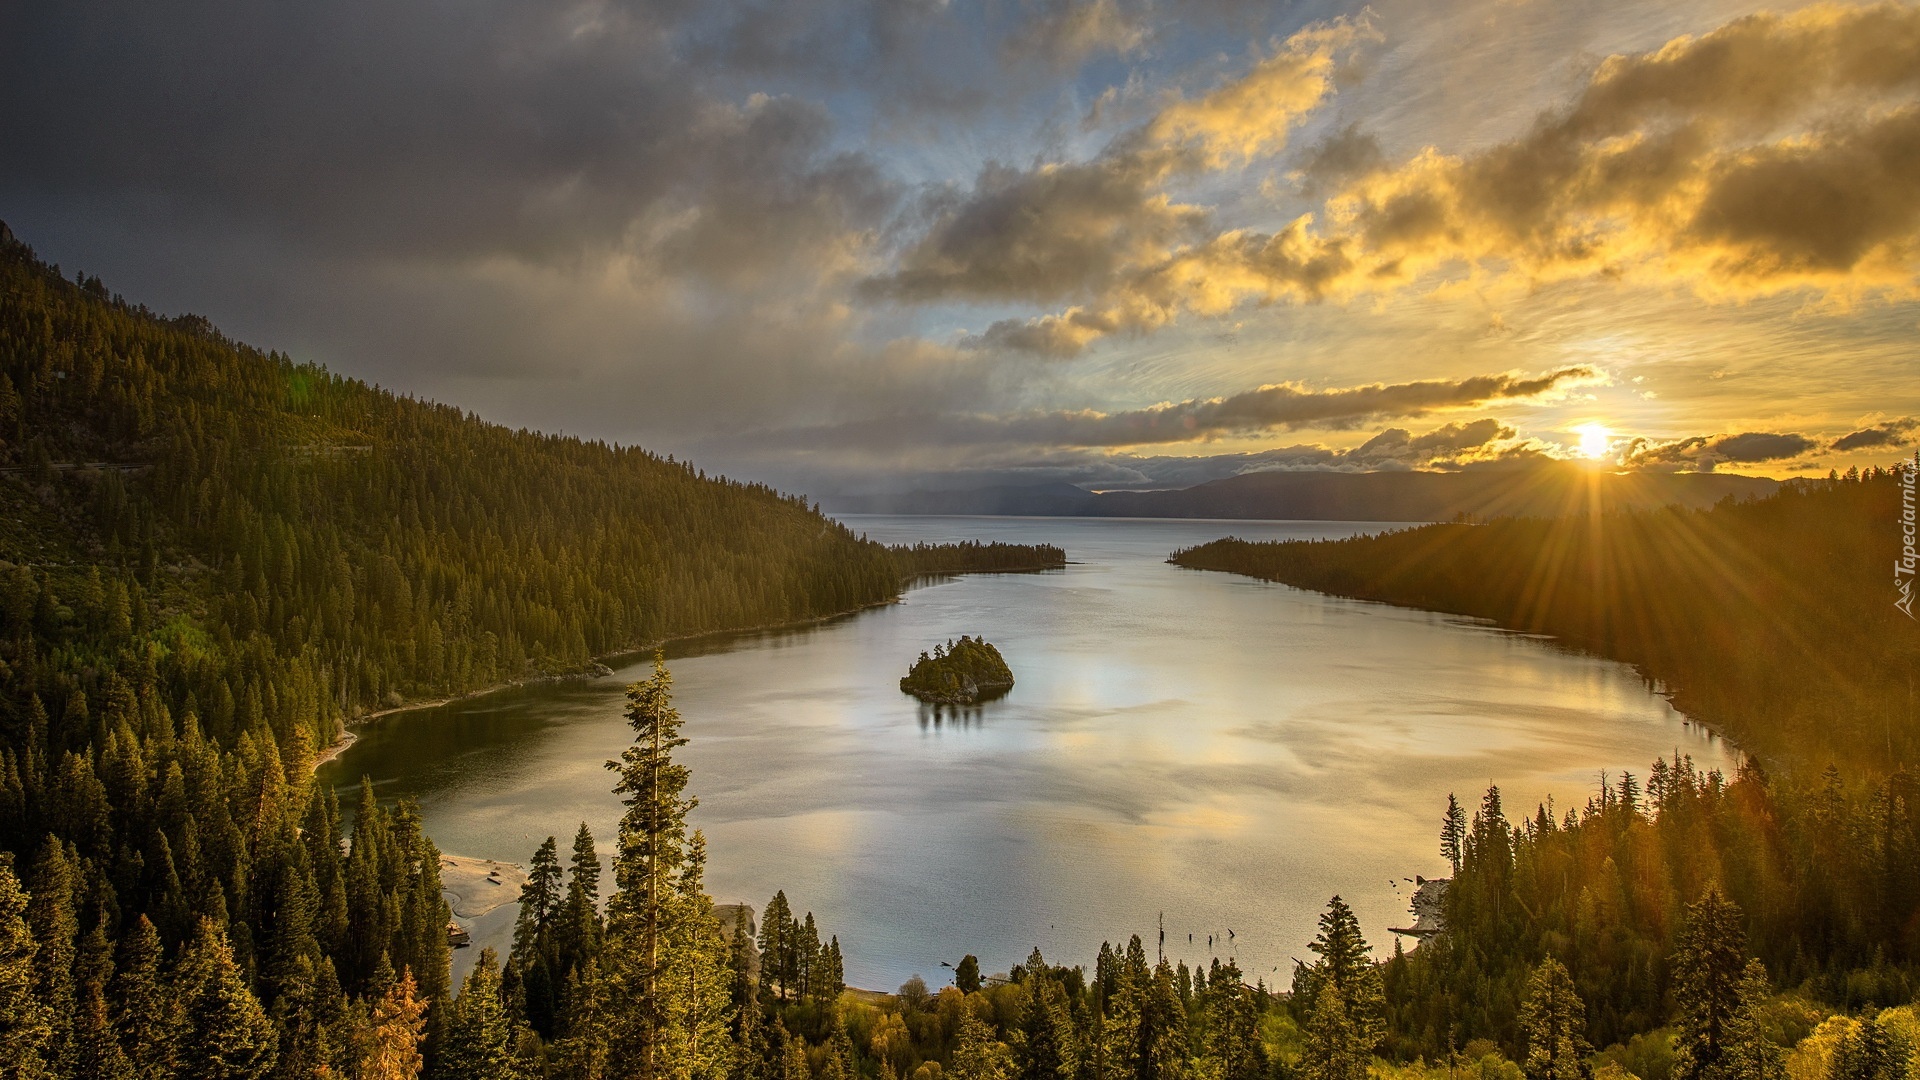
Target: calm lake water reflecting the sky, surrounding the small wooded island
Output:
[{"x": 1218, "y": 750}]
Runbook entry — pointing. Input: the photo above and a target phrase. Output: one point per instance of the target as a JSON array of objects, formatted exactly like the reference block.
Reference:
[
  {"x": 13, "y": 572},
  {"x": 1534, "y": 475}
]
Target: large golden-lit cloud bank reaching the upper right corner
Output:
[{"x": 1771, "y": 155}]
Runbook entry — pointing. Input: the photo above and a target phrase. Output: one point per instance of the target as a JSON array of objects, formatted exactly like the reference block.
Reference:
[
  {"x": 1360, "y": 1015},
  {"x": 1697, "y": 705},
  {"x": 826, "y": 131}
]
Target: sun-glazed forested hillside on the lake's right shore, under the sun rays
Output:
[{"x": 1771, "y": 620}]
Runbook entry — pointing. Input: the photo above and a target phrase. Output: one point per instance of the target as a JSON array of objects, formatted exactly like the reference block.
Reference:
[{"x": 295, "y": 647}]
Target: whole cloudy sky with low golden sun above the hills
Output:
[{"x": 873, "y": 245}]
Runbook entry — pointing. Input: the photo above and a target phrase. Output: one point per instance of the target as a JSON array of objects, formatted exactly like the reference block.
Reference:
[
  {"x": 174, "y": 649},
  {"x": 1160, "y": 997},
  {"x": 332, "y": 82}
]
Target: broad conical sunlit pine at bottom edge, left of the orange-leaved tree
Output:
[{"x": 228, "y": 1035}]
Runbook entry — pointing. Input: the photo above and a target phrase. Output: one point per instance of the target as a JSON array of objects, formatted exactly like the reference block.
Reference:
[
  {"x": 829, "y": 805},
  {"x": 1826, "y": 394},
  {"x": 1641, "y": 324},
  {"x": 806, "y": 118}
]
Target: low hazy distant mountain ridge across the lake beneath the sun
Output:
[{"x": 1541, "y": 491}]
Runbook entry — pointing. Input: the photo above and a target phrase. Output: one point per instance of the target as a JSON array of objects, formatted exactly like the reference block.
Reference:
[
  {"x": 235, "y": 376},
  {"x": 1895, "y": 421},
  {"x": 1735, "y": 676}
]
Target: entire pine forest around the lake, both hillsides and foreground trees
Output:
[{"x": 216, "y": 556}]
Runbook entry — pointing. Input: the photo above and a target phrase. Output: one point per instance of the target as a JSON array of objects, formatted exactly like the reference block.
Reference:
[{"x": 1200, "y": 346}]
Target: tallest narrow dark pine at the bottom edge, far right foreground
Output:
[{"x": 1708, "y": 966}]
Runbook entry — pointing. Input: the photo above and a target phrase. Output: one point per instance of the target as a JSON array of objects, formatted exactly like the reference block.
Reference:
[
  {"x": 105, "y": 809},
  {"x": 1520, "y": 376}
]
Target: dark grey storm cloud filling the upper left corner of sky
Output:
[{"x": 396, "y": 130}]
